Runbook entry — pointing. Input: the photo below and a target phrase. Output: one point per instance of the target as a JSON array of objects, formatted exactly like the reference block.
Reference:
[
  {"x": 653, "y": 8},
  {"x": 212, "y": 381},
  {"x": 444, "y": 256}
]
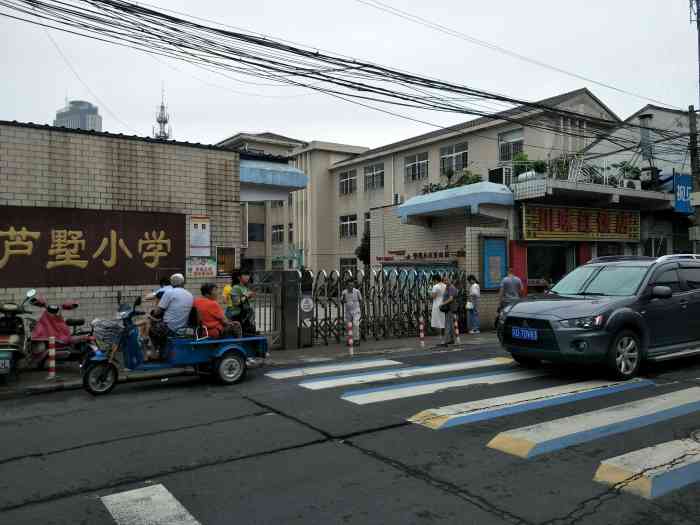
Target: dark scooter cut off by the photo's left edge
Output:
[{"x": 12, "y": 336}]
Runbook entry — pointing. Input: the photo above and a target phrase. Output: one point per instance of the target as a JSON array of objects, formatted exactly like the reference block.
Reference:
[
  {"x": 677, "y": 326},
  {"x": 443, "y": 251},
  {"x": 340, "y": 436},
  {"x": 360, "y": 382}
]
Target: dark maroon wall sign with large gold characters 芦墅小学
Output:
[{"x": 71, "y": 247}]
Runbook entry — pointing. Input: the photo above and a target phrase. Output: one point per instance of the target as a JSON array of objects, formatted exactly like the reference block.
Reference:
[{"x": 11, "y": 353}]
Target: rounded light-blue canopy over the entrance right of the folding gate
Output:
[{"x": 464, "y": 198}]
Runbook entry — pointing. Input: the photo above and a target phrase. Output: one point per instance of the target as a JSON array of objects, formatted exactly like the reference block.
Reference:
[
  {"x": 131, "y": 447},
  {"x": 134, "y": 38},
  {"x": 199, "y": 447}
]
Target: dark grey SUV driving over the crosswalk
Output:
[{"x": 619, "y": 311}]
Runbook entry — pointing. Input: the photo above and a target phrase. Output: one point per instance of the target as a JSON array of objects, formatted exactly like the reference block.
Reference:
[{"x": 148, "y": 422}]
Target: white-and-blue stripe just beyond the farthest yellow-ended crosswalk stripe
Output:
[{"x": 420, "y": 388}]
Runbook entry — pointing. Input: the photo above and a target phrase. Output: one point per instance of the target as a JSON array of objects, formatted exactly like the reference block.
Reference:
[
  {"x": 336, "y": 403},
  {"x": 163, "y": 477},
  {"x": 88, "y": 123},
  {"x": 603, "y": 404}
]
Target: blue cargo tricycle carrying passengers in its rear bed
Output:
[{"x": 223, "y": 359}]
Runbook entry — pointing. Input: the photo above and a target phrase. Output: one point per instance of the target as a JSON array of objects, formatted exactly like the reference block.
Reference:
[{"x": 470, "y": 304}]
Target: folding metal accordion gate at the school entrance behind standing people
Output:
[{"x": 393, "y": 302}]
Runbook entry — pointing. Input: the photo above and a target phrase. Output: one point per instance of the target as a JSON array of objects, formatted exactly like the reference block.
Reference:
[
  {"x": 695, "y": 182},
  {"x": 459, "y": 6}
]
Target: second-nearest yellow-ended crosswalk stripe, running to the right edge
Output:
[{"x": 533, "y": 440}]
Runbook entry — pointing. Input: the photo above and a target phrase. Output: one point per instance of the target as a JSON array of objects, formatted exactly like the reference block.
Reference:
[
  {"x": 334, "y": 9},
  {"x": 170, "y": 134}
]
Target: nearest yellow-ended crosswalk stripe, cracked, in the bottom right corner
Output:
[{"x": 653, "y": 471}]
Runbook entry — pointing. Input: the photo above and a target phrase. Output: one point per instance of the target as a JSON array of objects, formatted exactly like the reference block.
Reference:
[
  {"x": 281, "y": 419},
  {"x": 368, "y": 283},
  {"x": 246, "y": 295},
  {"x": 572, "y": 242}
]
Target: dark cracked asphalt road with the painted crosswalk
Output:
[{"x": 336, "y": 447}]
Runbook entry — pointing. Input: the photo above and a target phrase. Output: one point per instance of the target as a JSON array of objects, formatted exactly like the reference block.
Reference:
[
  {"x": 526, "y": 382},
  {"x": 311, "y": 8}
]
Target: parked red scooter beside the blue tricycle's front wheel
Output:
[{"x": 72, "y": 344}]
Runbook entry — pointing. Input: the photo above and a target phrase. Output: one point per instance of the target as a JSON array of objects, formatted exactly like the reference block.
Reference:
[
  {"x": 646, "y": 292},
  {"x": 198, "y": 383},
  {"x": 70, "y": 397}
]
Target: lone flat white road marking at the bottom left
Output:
[{"x": 153, "y": 505}]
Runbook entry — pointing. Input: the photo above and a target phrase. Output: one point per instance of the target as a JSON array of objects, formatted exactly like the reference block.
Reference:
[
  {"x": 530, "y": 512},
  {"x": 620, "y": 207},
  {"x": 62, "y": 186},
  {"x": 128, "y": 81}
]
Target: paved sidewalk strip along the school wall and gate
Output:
[{"x": 32, "y": 382}]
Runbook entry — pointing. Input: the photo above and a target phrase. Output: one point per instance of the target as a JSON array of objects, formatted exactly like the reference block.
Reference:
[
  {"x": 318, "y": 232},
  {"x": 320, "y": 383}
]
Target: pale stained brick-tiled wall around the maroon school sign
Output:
[{"x": 49, "y": 167}]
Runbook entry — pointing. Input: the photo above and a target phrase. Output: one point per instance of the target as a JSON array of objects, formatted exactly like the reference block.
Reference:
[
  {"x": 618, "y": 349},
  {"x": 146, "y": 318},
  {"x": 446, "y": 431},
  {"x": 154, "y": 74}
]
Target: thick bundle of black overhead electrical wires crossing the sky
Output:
[{"x": 227, "y": 51}]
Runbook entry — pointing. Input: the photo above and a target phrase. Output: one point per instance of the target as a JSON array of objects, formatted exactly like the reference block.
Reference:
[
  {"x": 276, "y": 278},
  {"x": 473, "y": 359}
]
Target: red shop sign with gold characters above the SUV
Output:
[{"x": 542, "y": 223}]
